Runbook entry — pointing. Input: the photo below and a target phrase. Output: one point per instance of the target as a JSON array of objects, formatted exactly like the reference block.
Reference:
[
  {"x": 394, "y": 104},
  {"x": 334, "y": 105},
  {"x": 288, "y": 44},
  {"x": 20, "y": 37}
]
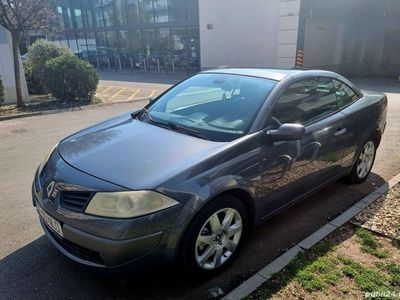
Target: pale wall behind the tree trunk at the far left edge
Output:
[{"x": 7, "y": 69}]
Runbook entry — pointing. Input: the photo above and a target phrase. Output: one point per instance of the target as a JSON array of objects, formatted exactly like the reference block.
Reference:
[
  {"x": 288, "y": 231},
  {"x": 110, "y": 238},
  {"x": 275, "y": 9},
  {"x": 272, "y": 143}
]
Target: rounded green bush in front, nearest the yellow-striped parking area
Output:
[{"x": 69, "y": 78}]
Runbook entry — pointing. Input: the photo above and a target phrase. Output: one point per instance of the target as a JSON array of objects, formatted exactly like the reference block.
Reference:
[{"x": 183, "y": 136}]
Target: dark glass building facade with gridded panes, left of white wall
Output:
[{"x": 129, "y": 34}]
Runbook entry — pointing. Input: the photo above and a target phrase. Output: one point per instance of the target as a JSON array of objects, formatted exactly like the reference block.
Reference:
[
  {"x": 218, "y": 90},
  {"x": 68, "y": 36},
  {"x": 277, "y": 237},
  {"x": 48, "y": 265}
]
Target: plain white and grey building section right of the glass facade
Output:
[{"x": 352, "y": 37}]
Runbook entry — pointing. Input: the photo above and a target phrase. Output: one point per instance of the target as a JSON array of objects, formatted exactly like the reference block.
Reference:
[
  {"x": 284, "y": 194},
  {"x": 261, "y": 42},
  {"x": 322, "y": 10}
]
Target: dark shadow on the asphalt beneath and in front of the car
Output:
[{"x": 38, "y": 270}]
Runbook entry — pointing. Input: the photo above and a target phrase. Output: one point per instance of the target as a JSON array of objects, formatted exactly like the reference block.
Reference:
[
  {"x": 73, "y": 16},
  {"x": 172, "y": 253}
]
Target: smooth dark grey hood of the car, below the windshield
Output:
[{"x": 133, "y": 154}]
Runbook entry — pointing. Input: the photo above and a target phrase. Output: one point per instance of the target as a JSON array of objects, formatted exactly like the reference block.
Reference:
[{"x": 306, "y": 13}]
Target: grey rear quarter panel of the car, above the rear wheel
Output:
[{"x": 364, "y": 118}]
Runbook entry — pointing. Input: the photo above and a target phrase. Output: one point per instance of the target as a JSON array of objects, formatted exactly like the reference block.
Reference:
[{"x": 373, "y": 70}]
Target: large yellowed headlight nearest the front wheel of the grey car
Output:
[{"x": 128, "y": 204}]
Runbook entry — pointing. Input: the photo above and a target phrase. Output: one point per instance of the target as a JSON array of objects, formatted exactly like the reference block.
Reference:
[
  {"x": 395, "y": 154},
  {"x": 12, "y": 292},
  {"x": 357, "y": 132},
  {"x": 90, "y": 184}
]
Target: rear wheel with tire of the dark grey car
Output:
[{"x": 364, "y": 162}]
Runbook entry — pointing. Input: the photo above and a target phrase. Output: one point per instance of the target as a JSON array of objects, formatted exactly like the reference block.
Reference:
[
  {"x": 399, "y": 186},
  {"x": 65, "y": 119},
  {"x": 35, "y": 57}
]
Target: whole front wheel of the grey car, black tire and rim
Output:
[{"x": 207, "y": 248}]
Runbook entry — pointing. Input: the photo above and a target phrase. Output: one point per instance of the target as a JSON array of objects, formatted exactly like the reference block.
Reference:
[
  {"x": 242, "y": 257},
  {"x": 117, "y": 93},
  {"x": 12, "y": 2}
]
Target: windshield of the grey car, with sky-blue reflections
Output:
[{"x": 219, "y": 107}]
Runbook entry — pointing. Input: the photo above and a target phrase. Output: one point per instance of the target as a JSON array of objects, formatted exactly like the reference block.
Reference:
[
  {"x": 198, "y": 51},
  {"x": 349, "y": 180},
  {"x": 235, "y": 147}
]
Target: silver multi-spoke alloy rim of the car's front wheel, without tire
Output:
[{"x": 218, "y": 238}]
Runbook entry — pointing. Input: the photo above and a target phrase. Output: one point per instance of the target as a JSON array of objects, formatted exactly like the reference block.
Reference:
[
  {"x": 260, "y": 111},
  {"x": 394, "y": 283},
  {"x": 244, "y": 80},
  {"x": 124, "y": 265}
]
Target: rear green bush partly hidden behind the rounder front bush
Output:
[{"x": 40, "y": 52}]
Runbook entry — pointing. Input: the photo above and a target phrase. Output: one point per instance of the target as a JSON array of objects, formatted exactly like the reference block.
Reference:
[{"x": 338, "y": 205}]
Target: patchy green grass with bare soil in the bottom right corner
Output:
[{"x": 326, "y": 269}]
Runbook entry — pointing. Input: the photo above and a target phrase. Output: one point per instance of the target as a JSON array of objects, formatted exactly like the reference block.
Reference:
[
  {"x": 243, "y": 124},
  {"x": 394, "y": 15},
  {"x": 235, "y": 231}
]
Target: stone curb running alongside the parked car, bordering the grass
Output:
[{"x": 262, "y": 276}]
